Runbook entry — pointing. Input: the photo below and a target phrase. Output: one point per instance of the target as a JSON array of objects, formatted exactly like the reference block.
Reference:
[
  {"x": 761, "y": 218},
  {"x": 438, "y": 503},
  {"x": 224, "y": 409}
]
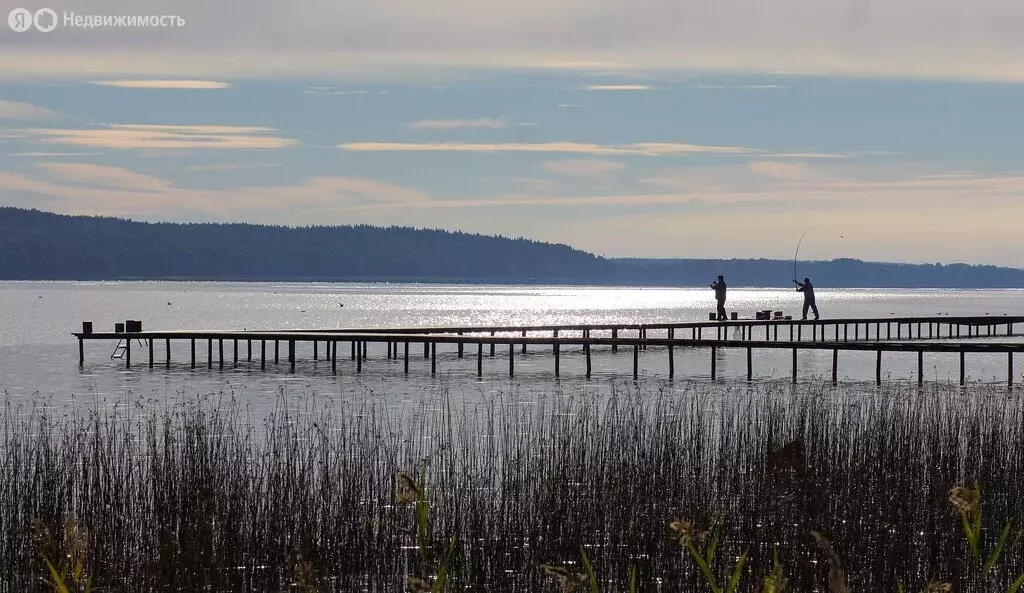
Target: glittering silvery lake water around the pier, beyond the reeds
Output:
[{"x": 39, "y": 358}]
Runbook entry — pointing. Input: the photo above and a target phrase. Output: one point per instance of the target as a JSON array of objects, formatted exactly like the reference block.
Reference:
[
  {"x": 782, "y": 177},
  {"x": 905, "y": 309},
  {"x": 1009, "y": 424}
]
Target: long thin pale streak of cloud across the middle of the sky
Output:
[{"x": 634, "y": 150}]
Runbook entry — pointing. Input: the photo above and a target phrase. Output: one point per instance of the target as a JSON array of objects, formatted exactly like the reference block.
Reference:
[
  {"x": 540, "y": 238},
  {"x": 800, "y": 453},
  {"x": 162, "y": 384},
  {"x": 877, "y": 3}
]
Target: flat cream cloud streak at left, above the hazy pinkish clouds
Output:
[{"x": 164, "y": 138}]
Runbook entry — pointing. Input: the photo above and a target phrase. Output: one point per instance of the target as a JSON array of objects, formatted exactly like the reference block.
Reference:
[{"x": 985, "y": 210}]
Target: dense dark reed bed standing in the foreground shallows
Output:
[{"x": 201, "y": 497}]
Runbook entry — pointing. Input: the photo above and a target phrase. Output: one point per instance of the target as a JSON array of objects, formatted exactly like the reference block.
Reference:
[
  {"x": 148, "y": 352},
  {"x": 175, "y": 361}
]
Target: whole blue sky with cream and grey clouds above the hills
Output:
[{"x": 644, "y": 129}]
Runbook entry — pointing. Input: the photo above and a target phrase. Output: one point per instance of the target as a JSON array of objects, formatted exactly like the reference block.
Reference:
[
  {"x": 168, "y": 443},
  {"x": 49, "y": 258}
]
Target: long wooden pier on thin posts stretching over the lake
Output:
[{"x": 934, "y": 335}]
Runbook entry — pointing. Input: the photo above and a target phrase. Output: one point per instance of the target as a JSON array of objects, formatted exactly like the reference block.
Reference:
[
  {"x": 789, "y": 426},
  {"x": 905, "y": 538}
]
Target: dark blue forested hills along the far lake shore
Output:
[{"x": 37, "y": 245}]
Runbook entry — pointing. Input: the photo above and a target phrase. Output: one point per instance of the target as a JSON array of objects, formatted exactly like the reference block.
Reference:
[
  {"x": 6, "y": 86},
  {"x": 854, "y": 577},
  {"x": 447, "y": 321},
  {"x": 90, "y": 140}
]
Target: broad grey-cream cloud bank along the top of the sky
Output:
[{"x": 893, "y": 38}]
